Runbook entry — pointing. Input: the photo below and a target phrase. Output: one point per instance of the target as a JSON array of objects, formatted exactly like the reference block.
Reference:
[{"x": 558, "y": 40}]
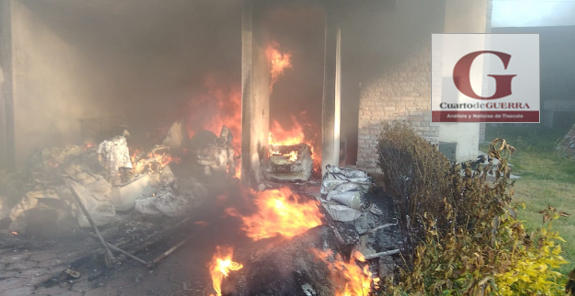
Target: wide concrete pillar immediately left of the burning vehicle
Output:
[{"x": 255, "y": 93}]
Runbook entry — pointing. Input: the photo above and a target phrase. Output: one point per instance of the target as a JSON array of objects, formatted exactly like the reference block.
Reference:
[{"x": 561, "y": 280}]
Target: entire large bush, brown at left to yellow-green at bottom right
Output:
[{"x": 462, "y": 236}]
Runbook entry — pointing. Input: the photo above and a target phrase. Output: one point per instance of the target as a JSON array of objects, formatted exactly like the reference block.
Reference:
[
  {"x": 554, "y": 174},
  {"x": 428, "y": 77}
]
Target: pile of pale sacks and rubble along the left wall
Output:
[{"x": 107, "y": 181}]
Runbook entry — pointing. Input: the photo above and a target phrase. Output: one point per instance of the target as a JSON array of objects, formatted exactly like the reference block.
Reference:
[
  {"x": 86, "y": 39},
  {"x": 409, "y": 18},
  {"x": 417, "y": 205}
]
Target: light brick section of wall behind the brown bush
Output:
[{"x": 402, "y": 92}]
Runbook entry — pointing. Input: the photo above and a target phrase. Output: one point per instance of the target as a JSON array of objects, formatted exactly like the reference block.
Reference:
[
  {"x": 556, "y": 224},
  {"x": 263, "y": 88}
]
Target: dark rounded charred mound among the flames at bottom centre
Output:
[{"x": 280, "y": 267}]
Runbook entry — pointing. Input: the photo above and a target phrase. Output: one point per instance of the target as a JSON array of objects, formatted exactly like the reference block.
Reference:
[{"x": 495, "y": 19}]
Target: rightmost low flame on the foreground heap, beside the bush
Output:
[{"x": 349, "y": 277}]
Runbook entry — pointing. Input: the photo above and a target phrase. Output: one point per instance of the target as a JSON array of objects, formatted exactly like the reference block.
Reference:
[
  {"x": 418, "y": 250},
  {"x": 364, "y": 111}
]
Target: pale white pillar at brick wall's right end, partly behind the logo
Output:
[{"x": 464, "y": 16}]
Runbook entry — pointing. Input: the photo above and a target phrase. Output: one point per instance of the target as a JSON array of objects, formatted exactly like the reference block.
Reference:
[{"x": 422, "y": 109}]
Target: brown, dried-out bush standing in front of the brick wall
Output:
[{"x": 416, "y": 174}]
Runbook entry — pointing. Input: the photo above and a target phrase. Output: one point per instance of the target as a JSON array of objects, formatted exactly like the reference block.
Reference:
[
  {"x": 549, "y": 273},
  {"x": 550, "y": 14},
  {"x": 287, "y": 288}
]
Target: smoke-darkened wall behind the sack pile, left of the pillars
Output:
[{"x": 141, "y": 62}]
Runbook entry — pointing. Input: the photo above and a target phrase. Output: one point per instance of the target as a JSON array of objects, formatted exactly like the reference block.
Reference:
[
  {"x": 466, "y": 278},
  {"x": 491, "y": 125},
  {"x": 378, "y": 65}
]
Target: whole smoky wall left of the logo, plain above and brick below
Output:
[{"x": 400, "y": 87}]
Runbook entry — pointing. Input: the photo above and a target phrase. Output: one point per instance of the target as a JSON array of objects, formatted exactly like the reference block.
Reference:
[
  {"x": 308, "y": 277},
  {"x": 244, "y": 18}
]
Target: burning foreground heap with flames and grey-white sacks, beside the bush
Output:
[{"x": 345, "y": 242}]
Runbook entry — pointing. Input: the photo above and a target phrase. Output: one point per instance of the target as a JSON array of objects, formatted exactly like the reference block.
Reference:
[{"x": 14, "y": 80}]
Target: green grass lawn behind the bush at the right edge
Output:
[{"x": 546, "y": 178}]
